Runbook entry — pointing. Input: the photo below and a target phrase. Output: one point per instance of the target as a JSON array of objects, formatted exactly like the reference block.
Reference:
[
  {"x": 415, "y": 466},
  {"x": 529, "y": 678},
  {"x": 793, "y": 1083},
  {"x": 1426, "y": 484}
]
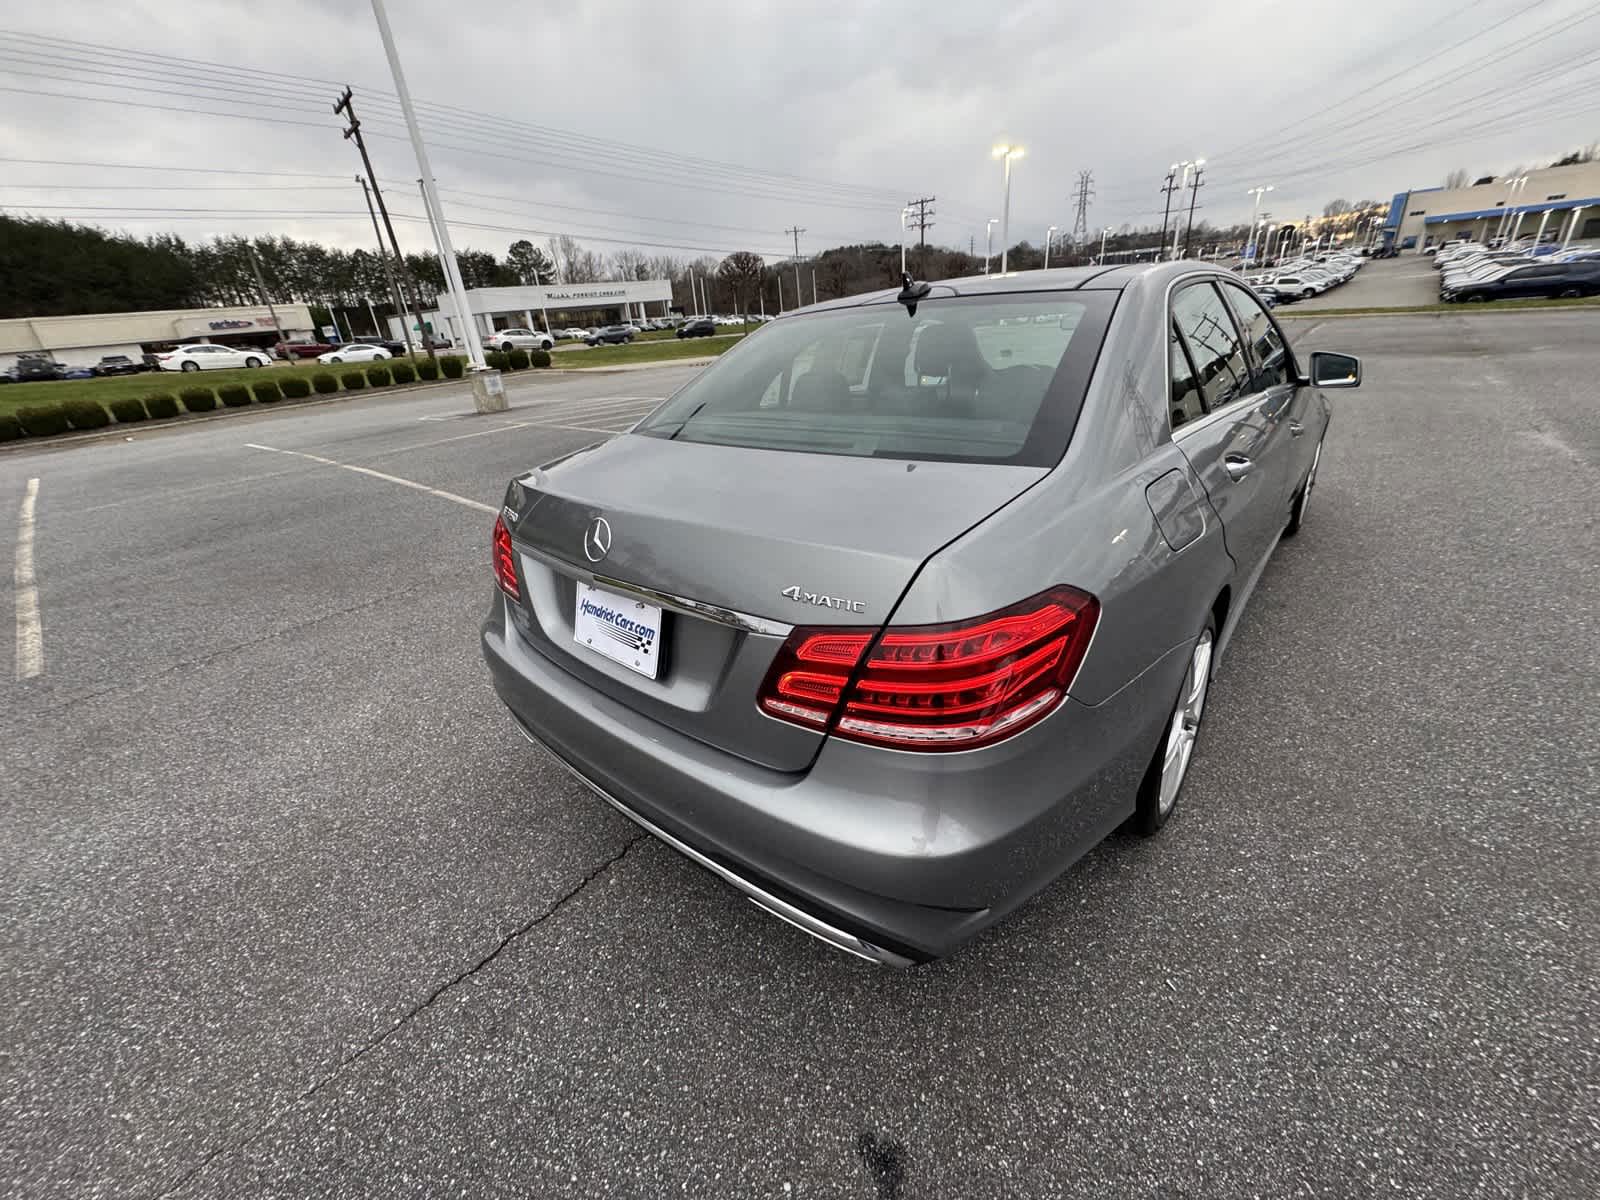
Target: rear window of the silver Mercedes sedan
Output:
[{"x": 967, "y": 380}]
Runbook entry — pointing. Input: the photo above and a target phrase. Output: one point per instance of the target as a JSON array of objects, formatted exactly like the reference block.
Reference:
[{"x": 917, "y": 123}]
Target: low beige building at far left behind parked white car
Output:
[{"x": 84, "y": 342}]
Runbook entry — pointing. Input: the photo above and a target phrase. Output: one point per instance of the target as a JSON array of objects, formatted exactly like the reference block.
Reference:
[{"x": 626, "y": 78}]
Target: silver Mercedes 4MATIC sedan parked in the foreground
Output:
[{"x": 911, "y": 599}]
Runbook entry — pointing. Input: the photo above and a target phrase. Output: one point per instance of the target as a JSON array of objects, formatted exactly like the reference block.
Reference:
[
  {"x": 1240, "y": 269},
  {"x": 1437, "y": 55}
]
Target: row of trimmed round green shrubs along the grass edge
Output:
[{"x": 47, "y": 420}]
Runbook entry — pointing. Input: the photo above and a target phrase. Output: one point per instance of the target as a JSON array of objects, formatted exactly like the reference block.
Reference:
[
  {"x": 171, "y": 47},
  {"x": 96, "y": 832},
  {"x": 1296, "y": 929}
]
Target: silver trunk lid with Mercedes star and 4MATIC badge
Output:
[{"x": 737, "y": 545}]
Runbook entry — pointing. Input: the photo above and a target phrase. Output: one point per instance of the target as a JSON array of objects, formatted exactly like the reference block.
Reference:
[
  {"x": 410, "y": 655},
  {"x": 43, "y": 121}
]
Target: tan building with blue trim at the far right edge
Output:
[{"x": 1558, "y": 204}]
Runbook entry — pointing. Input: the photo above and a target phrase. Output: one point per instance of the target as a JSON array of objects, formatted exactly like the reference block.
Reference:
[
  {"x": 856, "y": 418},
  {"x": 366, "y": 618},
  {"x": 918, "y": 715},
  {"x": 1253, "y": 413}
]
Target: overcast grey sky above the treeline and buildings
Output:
[{"x": 753, "y": 118}]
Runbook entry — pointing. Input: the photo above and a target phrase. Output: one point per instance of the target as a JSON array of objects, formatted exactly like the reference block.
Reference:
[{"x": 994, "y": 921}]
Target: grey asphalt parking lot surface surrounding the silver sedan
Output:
[{"x": 292, "y": 910}]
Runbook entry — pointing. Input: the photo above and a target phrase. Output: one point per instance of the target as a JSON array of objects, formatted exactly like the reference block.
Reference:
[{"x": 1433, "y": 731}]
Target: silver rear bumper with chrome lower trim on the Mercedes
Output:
[{"x": 892, "y": 857}]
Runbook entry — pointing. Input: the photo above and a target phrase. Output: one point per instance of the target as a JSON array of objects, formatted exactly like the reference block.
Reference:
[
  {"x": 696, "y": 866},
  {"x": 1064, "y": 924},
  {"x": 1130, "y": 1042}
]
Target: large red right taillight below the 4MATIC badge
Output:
[{"x": 935, "y": 687}]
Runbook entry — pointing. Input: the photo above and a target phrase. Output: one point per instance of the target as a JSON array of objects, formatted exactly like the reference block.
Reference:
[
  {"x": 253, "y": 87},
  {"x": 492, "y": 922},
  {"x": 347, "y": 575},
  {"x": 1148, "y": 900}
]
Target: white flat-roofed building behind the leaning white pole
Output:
[{"x": 556, "y": 306}]
